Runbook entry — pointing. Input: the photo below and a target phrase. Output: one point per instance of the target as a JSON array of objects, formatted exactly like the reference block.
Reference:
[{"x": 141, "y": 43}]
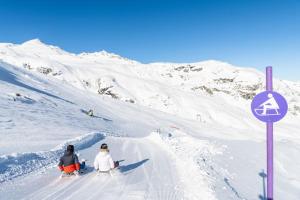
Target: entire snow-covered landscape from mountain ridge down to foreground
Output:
[{"x": 173, "y": 143}]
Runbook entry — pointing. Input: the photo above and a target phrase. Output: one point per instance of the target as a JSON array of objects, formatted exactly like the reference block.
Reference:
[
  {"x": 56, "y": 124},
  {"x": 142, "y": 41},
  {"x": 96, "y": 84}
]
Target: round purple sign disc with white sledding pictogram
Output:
[{"x": 269, "y": 106}]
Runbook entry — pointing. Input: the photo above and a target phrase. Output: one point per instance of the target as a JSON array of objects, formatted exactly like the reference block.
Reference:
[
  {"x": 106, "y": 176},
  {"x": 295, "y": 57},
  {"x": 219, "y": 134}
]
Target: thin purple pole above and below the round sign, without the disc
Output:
[{"x": 269, "y": 87}]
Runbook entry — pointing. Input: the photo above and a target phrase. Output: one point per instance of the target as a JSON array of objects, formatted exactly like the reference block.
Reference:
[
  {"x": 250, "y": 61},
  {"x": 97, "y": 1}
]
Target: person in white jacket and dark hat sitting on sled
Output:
[{"x": 103, "y": 162}]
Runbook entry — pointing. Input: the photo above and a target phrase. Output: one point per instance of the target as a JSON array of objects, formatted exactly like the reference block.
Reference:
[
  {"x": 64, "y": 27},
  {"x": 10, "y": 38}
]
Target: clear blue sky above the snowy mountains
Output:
[{"x": 253, "y": 33}]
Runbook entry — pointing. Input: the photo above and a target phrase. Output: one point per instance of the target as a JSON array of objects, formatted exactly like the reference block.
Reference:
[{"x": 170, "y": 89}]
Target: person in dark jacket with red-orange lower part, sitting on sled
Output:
[{"x": 69, "y": 163}]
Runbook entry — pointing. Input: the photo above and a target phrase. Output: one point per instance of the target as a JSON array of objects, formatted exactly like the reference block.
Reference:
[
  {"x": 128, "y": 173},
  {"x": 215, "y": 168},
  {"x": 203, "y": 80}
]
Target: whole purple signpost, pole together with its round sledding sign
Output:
[{"x": 269, "y": 107}]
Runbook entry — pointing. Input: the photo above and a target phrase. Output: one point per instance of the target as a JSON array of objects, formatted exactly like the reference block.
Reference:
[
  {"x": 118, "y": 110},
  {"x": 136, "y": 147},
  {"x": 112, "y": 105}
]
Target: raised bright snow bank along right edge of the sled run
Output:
[{"x": 196, "y": 165}]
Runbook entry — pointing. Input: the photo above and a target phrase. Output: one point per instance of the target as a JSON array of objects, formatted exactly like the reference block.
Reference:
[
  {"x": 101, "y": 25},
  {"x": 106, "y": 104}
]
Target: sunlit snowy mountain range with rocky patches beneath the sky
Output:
[{"x": 169, "y": 87}]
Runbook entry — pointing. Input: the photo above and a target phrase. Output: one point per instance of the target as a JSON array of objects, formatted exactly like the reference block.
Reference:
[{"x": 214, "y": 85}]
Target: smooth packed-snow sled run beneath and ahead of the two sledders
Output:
[{"x": 147, "y": 172}]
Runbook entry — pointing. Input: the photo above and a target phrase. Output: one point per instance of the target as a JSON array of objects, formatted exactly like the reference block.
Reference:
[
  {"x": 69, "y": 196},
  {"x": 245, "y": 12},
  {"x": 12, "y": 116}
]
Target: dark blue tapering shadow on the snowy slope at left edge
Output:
[{"x": 10, "y": 77}]
